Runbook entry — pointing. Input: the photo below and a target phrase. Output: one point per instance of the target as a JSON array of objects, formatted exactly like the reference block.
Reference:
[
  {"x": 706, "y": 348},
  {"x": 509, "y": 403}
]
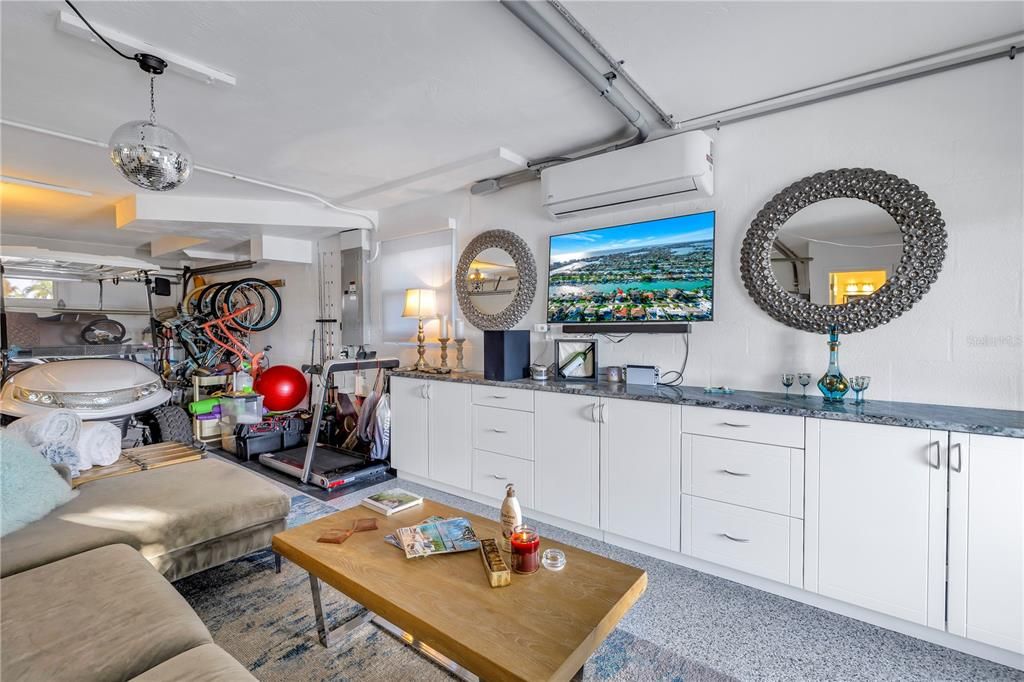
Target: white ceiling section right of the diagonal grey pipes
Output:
[{"x": 696, "y": 59}]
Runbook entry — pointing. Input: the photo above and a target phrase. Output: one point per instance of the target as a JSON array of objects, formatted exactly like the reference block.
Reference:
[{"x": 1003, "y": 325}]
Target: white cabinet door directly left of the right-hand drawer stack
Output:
[{"x": 641, "y": 472}]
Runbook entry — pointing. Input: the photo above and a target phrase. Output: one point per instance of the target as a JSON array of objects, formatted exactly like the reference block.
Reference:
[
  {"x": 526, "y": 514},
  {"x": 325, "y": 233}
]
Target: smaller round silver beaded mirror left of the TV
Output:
[{"x": 496, "y": 280}]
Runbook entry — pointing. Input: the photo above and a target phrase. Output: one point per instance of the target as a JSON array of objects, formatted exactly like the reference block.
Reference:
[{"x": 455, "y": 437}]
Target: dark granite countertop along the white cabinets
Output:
[{"x": 945, "y": 417}]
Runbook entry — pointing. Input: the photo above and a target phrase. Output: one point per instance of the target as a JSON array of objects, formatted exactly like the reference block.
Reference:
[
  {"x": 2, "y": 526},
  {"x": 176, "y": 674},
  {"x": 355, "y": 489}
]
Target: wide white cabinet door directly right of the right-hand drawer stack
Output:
[{"x": 877, "y": 498}]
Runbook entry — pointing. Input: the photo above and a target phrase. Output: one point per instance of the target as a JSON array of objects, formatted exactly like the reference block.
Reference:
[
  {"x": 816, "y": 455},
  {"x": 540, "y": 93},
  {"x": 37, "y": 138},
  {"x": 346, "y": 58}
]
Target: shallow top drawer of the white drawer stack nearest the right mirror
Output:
[{"x": 741, "y": 425}]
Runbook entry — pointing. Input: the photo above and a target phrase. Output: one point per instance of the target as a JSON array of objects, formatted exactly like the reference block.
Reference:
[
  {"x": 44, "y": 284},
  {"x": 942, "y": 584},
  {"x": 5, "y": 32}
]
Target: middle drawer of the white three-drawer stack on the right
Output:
[{"x": 765, "y": 478}]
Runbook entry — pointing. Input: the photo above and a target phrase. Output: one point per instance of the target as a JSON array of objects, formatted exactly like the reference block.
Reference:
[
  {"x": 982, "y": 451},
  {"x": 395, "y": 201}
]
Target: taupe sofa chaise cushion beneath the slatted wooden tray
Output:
[{"x": 159, "y": 513}]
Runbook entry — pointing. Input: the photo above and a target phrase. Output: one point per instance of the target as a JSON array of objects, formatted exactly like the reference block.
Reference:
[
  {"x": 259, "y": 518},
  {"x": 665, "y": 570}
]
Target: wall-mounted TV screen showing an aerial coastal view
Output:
[{"x": 659, "y": 271}]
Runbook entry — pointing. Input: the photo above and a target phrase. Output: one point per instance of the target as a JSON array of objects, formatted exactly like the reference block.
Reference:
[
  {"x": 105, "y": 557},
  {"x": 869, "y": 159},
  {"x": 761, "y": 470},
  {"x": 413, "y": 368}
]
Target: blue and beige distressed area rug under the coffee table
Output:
[{"x": 266, "y": 621}]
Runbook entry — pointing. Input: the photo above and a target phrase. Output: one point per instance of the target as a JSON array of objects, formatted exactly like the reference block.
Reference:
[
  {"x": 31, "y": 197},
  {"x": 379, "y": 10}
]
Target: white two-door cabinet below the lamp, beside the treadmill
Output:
[{"x": 431, "y": 425}]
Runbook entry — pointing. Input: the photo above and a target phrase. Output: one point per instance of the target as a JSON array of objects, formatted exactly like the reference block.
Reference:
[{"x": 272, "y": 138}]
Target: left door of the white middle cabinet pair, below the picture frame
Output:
[{"x": 568, "y": 457}]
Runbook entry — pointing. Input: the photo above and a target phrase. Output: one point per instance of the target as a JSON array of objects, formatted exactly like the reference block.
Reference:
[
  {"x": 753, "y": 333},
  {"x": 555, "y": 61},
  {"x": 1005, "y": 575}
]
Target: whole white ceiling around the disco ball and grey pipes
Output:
[{"x": 337, "y": 98}]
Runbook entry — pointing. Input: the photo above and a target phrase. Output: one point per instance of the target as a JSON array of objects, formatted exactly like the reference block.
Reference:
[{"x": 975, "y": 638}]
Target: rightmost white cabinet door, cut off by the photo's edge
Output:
[{"x": 987, "y": 540}]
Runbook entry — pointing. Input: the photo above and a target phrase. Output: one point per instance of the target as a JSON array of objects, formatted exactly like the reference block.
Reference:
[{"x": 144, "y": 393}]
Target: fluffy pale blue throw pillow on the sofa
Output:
[{"x": 30, "y": 488}]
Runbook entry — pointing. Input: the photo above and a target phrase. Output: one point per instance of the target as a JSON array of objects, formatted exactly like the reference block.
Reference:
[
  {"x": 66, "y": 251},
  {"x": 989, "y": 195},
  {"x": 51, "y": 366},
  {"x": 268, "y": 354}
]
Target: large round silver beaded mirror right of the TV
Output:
[{"x": 843, "y": 251}]
